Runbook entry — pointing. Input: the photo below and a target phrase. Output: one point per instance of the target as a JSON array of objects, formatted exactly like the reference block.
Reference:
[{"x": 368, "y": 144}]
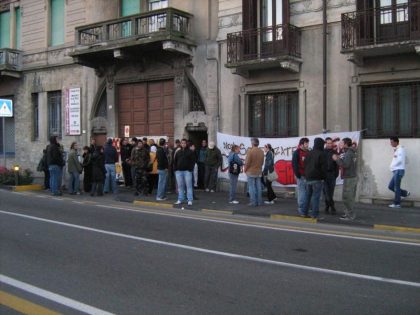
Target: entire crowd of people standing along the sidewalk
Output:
[{"x": 147, "y": 166}]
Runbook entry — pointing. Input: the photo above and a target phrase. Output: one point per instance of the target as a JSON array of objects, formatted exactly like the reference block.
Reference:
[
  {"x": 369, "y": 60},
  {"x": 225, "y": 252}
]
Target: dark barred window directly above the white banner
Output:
[{"x": 273, "y": 115}]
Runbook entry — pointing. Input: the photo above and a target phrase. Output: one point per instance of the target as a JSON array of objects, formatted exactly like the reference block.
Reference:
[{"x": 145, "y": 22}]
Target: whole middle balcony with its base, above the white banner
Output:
[{"x": 267, "y": 47}]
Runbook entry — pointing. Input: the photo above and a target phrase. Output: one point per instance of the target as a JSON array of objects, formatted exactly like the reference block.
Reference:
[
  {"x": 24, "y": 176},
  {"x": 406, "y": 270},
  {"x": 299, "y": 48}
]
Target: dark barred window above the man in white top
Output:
[{"x": 391, "y": 110}]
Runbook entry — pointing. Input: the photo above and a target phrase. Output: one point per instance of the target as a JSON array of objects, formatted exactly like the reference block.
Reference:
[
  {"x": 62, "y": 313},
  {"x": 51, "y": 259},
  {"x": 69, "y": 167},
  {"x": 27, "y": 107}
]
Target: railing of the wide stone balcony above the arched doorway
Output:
[{"x": 168, "y": 21}]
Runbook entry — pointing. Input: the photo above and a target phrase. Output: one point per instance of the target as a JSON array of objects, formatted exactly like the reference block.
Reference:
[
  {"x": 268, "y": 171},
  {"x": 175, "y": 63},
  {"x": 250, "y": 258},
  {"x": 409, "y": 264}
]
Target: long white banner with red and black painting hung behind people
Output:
[{"x": 283, "y": 150}]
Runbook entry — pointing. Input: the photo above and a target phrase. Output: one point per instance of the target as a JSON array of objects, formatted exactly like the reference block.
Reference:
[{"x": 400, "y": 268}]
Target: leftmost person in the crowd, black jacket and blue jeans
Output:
[{"x": 55, "y": 163}]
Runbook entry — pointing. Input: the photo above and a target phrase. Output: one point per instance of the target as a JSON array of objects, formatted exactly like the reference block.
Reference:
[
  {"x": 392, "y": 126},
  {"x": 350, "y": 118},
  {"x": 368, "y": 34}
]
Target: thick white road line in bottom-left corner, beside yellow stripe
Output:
[{"x": 52, "y": 296}]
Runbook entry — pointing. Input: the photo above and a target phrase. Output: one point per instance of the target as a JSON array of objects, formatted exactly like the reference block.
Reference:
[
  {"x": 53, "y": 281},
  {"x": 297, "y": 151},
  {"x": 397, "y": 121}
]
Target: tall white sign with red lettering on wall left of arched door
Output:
[{"x": 73, "y": 127}]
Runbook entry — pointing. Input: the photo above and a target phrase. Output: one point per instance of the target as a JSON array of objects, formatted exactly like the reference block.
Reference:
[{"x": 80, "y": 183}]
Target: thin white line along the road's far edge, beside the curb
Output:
[{"x": 253, "y": 225}]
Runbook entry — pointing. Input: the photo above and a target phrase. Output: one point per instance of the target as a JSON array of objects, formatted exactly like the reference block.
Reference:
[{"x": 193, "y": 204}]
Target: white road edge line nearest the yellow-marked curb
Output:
[{"x": 272, "y": 226}]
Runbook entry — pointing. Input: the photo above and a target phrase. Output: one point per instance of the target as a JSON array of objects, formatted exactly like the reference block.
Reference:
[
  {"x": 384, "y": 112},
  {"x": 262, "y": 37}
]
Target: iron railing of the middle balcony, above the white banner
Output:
[{"x": 261, "y": 43}]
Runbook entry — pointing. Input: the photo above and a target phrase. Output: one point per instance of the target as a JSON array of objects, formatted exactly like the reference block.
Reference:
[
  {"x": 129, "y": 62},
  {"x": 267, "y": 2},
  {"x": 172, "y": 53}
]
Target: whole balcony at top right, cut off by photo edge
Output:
[{"x": 381, "y": 31}]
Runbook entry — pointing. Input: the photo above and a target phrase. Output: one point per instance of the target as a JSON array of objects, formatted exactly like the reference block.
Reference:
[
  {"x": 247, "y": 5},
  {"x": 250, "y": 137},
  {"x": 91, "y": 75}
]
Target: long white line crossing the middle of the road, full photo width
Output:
[{"x": 224, "y": 254}]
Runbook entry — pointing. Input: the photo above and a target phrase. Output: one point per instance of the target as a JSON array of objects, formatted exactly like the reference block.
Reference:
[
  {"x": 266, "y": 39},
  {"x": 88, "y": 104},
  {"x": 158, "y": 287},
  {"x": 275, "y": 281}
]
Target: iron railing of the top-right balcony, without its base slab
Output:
[{"x": 392, "y": 24}]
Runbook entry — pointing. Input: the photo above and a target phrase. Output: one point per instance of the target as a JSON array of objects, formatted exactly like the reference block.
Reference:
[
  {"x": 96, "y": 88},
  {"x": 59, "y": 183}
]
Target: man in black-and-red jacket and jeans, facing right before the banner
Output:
[{"x": 298, "y": 159}]
